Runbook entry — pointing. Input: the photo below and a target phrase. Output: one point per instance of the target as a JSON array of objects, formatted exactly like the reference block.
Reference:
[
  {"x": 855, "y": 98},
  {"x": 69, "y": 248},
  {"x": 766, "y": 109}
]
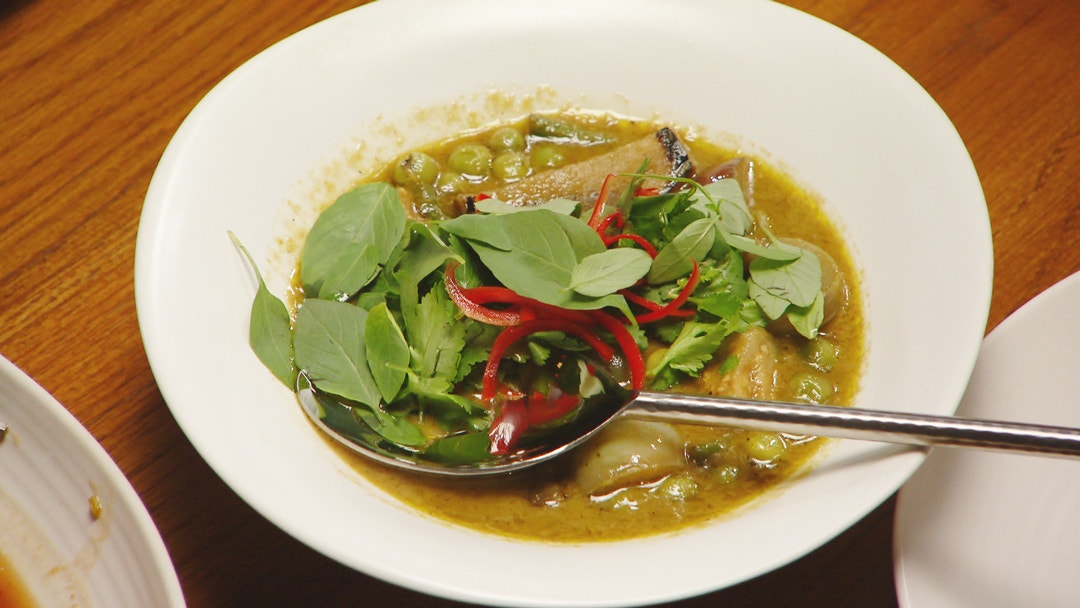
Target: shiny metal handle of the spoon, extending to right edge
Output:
[{"x": 856, "y": 424}]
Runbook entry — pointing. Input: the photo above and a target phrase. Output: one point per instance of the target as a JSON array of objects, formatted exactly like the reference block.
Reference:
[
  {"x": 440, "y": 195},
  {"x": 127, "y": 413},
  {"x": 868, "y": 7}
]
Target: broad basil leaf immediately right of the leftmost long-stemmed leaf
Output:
[{"x": 330, "y": 347}]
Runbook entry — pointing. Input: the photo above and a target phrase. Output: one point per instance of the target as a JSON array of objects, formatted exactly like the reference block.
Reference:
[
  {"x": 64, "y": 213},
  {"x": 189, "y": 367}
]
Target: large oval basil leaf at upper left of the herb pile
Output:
[{"x": 336, "y": 251}]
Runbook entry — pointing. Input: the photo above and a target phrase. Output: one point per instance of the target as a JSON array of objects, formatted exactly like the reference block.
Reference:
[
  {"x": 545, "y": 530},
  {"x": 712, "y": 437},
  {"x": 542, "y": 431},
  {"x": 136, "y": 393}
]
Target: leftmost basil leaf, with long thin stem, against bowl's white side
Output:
[{"x": 271, "y": 332}]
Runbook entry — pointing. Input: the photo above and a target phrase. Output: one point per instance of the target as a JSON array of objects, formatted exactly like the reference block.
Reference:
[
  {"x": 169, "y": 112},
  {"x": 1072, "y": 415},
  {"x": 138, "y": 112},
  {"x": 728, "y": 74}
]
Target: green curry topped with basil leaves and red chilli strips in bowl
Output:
[{"x": 793, "y": 347}]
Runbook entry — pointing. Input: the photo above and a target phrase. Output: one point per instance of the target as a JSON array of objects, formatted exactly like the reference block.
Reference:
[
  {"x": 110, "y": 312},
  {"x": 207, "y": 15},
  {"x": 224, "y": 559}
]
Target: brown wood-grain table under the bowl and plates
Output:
[{"x": 92, "y": 91}]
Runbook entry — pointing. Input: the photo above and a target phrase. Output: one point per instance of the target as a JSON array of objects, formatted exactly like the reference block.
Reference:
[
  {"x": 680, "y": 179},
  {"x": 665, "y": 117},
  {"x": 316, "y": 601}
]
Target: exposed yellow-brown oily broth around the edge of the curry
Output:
[{"x": 515, "y": 506}]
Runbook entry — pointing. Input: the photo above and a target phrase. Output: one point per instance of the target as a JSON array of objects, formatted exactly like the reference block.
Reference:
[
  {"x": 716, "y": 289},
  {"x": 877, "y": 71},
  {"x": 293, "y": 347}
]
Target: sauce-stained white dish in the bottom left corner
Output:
[{"x": 50, "y": 469}]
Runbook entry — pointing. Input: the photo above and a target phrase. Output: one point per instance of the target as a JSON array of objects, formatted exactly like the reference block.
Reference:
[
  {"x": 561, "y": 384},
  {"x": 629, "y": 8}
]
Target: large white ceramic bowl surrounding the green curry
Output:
[{"x": 838, "y": 115}]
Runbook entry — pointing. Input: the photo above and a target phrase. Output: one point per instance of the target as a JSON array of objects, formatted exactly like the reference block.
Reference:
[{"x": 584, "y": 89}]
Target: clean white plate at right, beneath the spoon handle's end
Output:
[{"x": 983, "y": 530}]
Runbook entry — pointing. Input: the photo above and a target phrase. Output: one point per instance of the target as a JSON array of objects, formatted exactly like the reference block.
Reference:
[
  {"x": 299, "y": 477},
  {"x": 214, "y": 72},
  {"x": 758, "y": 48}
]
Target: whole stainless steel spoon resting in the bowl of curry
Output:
[{"x": 820, "y": 421}]
